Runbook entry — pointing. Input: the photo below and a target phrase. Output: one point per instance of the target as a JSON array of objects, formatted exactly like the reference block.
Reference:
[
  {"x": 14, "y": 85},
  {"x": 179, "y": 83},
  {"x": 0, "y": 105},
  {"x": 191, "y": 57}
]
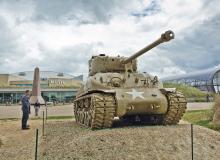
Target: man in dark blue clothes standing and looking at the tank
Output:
[{"x": 25, "y": 109}]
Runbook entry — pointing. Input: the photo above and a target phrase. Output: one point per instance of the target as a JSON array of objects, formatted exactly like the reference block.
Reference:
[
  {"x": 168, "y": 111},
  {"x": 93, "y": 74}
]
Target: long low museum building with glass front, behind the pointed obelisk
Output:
[{"x": 55, "y": 86}]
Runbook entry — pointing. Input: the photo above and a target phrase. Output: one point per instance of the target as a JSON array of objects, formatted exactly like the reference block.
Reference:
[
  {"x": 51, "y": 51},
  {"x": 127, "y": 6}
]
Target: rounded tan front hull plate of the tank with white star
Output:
[{"x": 136, "y": 101}]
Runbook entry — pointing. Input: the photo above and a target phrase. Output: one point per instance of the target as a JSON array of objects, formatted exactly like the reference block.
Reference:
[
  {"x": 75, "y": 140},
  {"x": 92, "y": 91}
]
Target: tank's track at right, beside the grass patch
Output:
[{"x": 176, "y": 108}]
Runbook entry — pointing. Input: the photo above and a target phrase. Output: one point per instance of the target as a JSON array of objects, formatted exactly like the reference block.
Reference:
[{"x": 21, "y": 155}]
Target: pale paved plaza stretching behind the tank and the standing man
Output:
[{"x": 67, "y": 110}]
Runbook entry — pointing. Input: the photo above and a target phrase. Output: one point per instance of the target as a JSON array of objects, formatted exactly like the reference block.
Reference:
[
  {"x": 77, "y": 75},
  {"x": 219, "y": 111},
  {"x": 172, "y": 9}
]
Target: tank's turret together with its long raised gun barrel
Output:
[{"x": 103, "y": 63}]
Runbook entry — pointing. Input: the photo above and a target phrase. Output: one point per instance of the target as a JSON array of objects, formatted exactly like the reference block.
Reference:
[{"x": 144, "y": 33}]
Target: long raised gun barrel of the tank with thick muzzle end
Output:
[{"x": 165, "y": 37}]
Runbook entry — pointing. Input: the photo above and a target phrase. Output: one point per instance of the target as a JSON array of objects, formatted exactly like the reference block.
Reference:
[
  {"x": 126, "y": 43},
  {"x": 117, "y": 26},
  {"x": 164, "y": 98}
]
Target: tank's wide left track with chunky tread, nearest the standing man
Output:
[{"x": 96, "y": 110}]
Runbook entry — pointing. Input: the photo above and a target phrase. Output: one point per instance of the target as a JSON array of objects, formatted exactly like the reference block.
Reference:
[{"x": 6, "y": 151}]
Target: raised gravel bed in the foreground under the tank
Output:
[{"x": 67, "y": 140}]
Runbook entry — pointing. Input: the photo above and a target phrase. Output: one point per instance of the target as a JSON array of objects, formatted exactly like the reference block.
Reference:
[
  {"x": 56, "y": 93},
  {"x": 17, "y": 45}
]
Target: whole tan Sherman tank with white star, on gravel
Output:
[{"x": 116, "y": 90}]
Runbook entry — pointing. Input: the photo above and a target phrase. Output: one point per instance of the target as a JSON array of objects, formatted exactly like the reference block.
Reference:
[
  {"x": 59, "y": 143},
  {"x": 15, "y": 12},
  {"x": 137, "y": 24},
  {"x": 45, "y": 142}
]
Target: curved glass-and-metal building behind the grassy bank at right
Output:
[{"x": 205, "y": 80}]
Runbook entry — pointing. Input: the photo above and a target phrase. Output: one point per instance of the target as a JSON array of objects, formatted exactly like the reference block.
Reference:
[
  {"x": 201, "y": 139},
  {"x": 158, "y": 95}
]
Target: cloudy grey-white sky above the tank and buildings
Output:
[{"x": 61, "y": 36}]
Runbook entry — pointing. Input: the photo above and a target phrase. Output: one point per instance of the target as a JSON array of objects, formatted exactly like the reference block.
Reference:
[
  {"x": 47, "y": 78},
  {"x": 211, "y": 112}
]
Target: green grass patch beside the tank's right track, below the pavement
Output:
[{"x": 200, "y": 117}]
